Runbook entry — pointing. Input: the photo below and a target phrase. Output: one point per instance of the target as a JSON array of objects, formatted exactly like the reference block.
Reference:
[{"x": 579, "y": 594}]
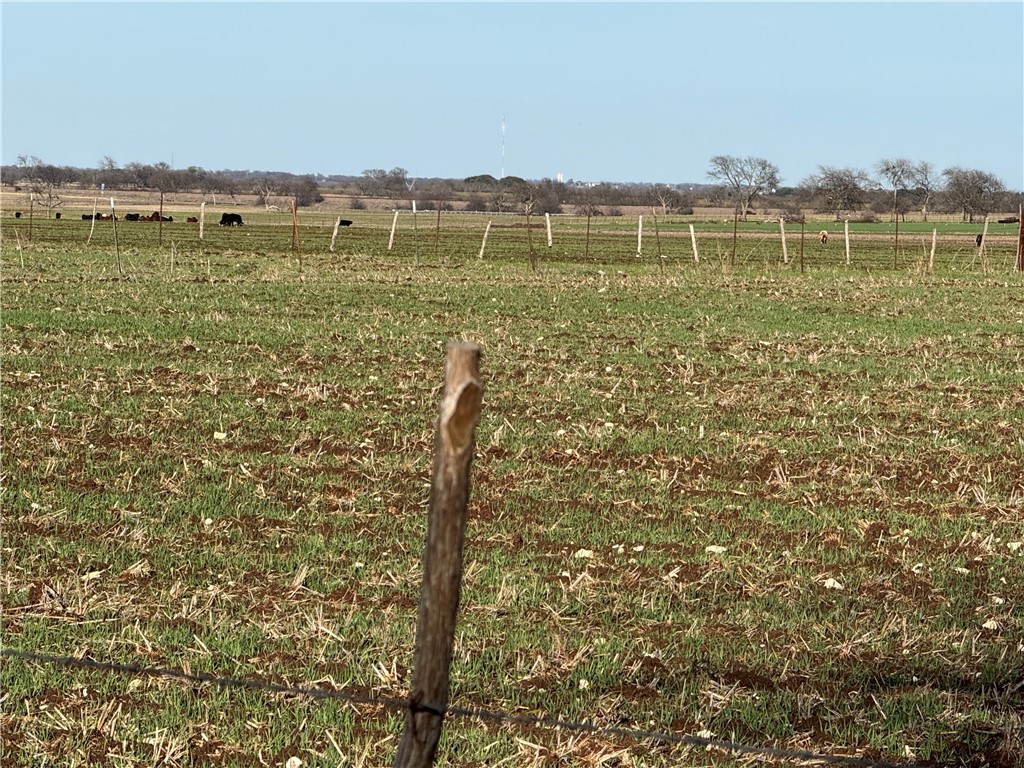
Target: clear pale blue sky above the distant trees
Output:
[{"x": 593, "y": 92}]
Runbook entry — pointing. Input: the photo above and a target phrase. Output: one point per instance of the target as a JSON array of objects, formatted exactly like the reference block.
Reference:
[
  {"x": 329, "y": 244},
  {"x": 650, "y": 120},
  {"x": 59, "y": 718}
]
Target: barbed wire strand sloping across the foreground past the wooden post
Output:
[{"x": 467, "y": 712}]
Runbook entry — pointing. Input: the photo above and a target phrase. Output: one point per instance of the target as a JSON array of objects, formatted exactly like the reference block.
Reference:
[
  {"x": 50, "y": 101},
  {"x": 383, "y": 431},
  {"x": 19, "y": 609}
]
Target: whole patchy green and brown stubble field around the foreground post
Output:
[{"x": 779, "y": 508}]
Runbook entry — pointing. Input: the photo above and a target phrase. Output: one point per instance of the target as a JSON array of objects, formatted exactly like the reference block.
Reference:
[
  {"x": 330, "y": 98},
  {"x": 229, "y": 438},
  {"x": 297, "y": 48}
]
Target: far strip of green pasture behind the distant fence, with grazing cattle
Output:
[{"x": 611, "y": 240}]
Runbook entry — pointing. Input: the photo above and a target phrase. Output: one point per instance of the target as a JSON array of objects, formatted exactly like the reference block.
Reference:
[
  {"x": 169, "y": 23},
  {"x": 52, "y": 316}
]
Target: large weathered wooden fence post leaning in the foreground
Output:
[{"x": 454, "y": 447}]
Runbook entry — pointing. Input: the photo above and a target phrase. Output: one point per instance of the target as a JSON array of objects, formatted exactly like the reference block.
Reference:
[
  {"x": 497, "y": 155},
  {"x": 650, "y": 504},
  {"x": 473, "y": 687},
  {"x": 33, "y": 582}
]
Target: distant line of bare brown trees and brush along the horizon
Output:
[{"x": 967, "y": 192}]
